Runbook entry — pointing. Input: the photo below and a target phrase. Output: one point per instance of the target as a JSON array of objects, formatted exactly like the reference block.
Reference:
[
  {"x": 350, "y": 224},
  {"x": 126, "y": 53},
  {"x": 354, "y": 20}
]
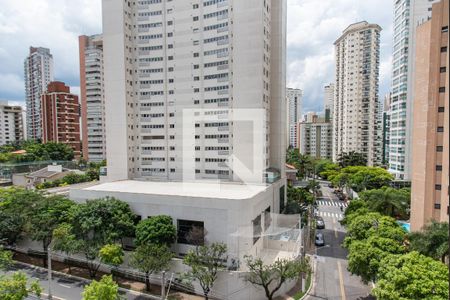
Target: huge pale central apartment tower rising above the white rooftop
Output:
[{"x": 163, "y": 58}]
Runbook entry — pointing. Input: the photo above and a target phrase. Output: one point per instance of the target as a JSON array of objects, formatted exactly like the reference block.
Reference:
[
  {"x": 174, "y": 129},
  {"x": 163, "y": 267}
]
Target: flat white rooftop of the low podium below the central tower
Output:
[{"x": 183, "y": 189}]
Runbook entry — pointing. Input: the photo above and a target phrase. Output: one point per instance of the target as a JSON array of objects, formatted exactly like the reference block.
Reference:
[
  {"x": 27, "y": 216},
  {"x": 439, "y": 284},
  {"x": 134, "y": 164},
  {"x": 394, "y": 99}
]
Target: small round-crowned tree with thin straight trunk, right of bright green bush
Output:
[{"x": 150, "y": 259}]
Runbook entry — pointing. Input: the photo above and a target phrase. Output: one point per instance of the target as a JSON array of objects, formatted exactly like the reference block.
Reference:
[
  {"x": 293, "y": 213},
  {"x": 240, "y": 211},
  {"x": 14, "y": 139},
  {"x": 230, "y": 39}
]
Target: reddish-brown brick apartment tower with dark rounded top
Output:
[{"x": 61, "y": 116}]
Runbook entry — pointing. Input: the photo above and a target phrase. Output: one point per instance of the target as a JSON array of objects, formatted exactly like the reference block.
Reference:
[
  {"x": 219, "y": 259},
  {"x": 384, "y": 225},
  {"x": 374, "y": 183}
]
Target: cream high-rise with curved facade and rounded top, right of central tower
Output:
[{"x": 356, "y": 123}]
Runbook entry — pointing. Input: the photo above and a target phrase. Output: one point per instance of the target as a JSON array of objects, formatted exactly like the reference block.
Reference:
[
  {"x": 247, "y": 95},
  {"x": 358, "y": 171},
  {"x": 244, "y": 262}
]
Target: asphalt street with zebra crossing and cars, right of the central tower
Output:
[{"x": 332, "y": 281}]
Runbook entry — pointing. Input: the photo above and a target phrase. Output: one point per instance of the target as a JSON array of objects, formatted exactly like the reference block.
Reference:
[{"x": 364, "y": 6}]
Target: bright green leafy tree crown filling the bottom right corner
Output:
[{"x": 411, "y": 276}]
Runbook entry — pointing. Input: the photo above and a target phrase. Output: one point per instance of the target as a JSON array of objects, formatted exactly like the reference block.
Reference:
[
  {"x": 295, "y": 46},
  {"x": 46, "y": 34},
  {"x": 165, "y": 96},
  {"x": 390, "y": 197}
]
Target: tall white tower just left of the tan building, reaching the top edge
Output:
[{"x": 408, "y": 14}]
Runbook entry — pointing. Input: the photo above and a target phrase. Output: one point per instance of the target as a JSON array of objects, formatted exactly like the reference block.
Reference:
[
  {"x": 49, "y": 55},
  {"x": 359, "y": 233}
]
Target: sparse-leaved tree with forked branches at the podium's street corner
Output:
[{"x": 272, "y": 277}]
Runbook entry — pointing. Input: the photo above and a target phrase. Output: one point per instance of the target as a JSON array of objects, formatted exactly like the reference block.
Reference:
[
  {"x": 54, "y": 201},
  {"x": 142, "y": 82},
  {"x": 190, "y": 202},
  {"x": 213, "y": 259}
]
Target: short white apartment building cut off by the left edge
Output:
[{"x": 11, "y": 123}]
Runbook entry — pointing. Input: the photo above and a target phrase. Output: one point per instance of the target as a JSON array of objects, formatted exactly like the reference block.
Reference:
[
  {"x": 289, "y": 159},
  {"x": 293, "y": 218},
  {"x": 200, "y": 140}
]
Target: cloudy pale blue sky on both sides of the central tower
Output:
[{"x": 312, "y": 28}]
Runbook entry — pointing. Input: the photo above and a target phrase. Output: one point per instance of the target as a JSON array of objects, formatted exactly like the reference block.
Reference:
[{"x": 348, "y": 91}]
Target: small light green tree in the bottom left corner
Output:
[{"x": 14, "y": 287}]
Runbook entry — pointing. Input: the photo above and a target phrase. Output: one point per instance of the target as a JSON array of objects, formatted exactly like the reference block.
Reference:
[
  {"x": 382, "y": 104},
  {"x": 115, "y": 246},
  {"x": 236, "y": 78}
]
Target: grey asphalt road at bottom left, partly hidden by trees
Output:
[{"x": 64, "y": 288}]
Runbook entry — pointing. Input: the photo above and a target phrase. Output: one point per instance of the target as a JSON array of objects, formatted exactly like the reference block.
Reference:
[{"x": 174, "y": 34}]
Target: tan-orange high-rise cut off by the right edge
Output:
[{"x": 430, "y": 132}]
